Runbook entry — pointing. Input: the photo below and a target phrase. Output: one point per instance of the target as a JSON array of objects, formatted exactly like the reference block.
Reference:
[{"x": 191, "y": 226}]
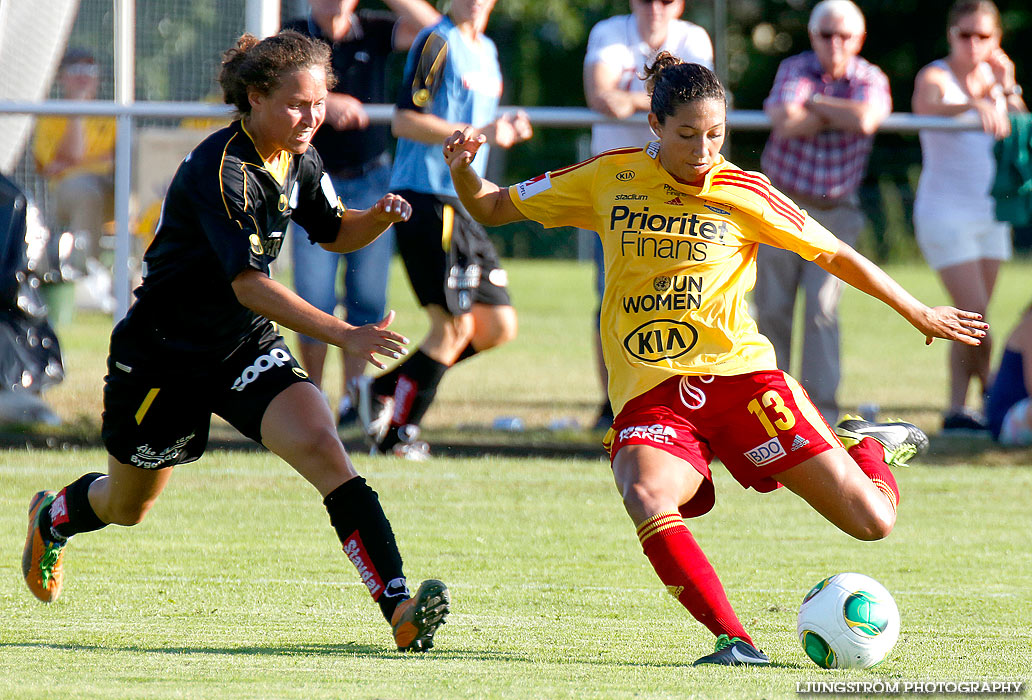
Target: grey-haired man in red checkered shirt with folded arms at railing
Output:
[{"x": 825, "y": 108}]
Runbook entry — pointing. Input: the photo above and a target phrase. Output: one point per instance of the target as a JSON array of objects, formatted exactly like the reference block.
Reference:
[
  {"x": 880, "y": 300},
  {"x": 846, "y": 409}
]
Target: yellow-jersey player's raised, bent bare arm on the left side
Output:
[{"x": 486, "y": 202}]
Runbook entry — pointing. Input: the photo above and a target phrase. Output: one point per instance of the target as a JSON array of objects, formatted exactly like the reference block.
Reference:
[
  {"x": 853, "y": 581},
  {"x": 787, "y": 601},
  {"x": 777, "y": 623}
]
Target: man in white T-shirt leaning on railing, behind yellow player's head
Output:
[{"x": 619, "y": 50}]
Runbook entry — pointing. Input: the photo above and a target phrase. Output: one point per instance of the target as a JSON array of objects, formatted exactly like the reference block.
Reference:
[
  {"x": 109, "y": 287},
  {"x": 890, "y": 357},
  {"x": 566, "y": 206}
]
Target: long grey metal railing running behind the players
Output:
[{"x": 126, "y": 112}]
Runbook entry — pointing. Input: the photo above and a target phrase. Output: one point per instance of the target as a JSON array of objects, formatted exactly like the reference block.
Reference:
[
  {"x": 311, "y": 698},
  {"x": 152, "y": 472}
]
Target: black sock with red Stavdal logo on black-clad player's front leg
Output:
[{"x": 369, "y": 543}]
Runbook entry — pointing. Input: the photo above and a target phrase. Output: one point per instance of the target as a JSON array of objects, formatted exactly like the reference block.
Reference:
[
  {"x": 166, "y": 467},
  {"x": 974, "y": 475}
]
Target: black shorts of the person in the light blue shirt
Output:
[{"x": 449, "y": 259}]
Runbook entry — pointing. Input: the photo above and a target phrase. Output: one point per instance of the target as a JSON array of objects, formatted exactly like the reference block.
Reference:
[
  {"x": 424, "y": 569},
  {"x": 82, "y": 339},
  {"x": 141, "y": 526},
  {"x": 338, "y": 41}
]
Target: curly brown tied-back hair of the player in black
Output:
[{"x": 261, "y": 65}]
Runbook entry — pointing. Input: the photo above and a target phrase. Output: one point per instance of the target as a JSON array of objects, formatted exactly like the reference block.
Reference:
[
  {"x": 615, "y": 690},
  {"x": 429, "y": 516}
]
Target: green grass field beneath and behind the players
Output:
[{"x": 235, "y": 587}]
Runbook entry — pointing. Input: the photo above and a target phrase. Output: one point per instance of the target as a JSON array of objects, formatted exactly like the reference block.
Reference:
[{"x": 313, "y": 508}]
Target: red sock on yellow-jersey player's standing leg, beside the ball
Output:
[{"x": 688, "y": 575}]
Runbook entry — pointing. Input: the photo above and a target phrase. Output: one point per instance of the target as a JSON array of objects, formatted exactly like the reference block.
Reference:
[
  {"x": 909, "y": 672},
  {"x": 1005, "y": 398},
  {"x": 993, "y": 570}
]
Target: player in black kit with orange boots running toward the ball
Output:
[{"x": 201, "y": 337}]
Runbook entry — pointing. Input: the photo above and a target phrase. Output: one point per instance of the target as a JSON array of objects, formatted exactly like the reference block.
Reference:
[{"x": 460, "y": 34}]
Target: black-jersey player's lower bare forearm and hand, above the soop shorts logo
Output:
[{"x": 267, "y": 297}]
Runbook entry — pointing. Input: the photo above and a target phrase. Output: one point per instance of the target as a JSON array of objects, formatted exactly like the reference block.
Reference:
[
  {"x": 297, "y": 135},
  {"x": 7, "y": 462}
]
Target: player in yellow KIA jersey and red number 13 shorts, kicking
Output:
[{"x": 690, "y": 377}]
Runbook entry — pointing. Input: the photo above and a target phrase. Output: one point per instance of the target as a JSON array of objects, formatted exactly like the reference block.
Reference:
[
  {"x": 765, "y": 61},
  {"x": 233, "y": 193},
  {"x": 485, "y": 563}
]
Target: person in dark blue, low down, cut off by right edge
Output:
[{"x": 1009, "y": 409}]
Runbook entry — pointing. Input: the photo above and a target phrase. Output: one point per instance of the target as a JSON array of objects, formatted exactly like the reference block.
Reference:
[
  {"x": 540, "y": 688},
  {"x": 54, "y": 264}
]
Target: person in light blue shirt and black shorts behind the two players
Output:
[{"x": 453, "y": 81}]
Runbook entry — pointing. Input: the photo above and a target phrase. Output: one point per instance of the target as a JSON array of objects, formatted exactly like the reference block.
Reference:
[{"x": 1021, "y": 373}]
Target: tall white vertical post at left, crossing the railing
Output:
[{"x": 125, "y": 58}]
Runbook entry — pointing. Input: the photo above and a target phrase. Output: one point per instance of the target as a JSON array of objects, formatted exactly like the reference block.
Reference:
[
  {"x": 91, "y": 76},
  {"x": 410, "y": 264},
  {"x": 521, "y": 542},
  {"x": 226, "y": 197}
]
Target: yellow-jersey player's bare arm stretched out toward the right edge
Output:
[{"x": 948, "y": 323}]
